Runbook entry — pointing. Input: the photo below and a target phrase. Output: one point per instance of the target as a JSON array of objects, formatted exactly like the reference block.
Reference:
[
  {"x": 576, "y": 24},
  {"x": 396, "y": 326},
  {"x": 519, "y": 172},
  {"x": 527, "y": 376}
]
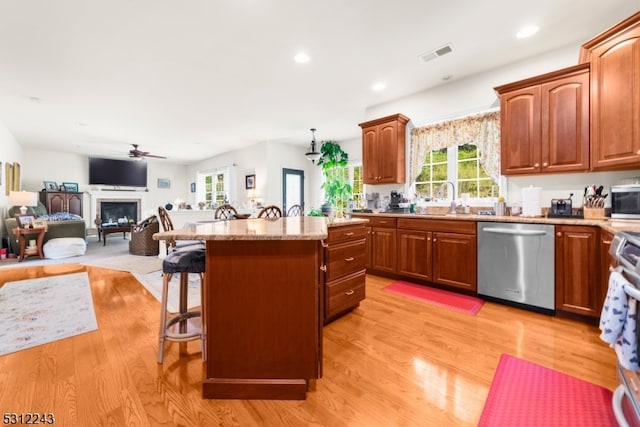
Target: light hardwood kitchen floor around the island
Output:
[{"x": 391, "y": 362}]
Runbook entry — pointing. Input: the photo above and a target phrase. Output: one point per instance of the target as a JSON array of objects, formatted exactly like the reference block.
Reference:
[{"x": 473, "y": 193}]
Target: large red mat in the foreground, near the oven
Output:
[{"x": 526, "y": 394}]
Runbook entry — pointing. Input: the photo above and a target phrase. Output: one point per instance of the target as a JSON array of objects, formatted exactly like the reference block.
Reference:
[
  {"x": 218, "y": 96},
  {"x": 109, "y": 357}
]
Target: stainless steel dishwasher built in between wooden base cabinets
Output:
[{"x": 516, "y": 263}]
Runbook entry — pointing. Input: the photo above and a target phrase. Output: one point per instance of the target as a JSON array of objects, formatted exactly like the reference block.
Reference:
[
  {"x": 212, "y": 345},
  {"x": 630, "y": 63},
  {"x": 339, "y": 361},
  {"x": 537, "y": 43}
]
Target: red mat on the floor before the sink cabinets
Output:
[{"x": 452, "y": 300}]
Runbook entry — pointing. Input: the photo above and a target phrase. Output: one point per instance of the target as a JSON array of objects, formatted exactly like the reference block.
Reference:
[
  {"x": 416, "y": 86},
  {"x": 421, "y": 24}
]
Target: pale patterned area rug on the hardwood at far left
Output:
[{"x": 38, "y": 311}]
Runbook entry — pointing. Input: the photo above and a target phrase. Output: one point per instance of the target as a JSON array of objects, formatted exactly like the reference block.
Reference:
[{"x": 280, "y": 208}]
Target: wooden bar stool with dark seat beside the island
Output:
[{"x": 178, "y": 328}]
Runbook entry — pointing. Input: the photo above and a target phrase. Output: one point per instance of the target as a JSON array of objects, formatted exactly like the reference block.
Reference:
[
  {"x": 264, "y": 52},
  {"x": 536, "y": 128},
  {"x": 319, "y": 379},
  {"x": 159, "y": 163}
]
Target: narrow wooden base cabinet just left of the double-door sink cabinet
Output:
[{"x": 383, "y": 244}]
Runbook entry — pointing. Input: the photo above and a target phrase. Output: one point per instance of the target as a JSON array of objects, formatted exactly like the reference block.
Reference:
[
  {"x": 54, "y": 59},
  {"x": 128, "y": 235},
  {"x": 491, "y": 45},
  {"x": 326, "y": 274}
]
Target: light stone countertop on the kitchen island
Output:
[{"x": 292, "y": 228}]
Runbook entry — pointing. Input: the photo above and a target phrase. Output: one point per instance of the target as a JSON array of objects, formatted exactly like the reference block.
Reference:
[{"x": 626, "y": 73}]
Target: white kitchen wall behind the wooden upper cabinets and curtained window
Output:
[{"x": 475, "y": 94}]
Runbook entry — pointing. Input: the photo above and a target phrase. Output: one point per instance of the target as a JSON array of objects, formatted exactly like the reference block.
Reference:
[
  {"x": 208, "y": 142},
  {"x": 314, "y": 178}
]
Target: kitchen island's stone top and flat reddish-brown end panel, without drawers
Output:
[{"x": 263, "y": 304}]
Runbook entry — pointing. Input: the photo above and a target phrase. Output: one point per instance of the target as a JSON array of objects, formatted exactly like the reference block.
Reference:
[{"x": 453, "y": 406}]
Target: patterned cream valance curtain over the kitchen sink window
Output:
[{"x": 482, "y": 130}]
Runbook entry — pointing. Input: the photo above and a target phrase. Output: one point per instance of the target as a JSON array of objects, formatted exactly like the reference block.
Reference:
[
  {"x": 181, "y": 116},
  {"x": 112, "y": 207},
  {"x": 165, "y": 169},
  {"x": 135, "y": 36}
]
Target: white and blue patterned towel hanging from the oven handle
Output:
[{"x": 614, "y": 310}]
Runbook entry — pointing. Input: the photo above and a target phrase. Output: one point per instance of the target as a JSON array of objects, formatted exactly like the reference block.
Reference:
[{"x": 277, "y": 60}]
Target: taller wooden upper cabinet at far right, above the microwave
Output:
[{"x": 615, "y": 96}]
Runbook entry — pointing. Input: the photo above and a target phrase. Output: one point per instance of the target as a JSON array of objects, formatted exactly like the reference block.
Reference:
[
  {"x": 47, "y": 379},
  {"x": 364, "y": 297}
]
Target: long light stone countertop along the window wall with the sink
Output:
[{"x": 608, "y": 224}]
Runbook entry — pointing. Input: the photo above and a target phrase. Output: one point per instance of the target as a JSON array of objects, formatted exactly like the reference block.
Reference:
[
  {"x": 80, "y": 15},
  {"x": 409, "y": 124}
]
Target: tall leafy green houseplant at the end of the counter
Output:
[{"x": 337, "y": 189}]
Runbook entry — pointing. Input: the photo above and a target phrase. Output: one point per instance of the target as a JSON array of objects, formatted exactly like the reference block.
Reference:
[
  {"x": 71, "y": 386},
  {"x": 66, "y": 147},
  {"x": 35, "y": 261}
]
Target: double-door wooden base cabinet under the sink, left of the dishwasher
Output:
[{"x": 438, "y": 251}]
